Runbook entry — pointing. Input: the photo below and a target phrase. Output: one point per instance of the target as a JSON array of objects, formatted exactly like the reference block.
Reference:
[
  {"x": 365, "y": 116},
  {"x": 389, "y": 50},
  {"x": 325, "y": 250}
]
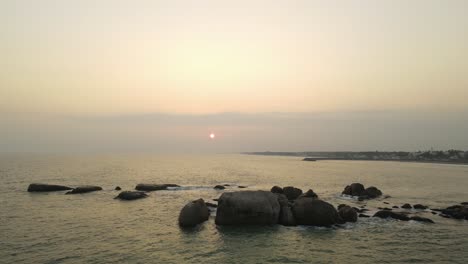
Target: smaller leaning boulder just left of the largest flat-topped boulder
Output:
[{"x": 193, "y": 213}]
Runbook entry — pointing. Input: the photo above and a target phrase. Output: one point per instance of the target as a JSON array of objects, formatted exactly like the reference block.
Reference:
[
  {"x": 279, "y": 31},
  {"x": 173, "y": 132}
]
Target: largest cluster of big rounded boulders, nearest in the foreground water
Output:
[{"x": 287, "y": 206}]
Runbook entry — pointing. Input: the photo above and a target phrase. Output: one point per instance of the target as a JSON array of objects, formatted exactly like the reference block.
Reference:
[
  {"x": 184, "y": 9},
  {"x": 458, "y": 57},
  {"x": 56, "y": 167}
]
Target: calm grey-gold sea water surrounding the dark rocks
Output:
[{"x": 94, "y": 228}]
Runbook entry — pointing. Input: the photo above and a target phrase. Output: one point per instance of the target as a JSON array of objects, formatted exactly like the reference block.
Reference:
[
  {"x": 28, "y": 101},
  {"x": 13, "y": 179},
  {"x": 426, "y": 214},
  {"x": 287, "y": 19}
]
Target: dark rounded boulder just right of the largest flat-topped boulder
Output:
[{"x": 311, "y": 211}]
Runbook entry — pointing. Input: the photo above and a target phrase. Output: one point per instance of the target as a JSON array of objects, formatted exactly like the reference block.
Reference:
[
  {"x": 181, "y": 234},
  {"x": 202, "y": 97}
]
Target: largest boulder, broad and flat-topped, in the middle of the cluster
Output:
[{"x": 248, "y": 208}]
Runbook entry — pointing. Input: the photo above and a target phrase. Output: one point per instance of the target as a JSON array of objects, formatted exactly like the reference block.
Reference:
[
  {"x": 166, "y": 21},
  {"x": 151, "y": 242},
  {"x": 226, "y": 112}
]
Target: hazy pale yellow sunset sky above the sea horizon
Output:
[{"x": 160, "y": 76}]
